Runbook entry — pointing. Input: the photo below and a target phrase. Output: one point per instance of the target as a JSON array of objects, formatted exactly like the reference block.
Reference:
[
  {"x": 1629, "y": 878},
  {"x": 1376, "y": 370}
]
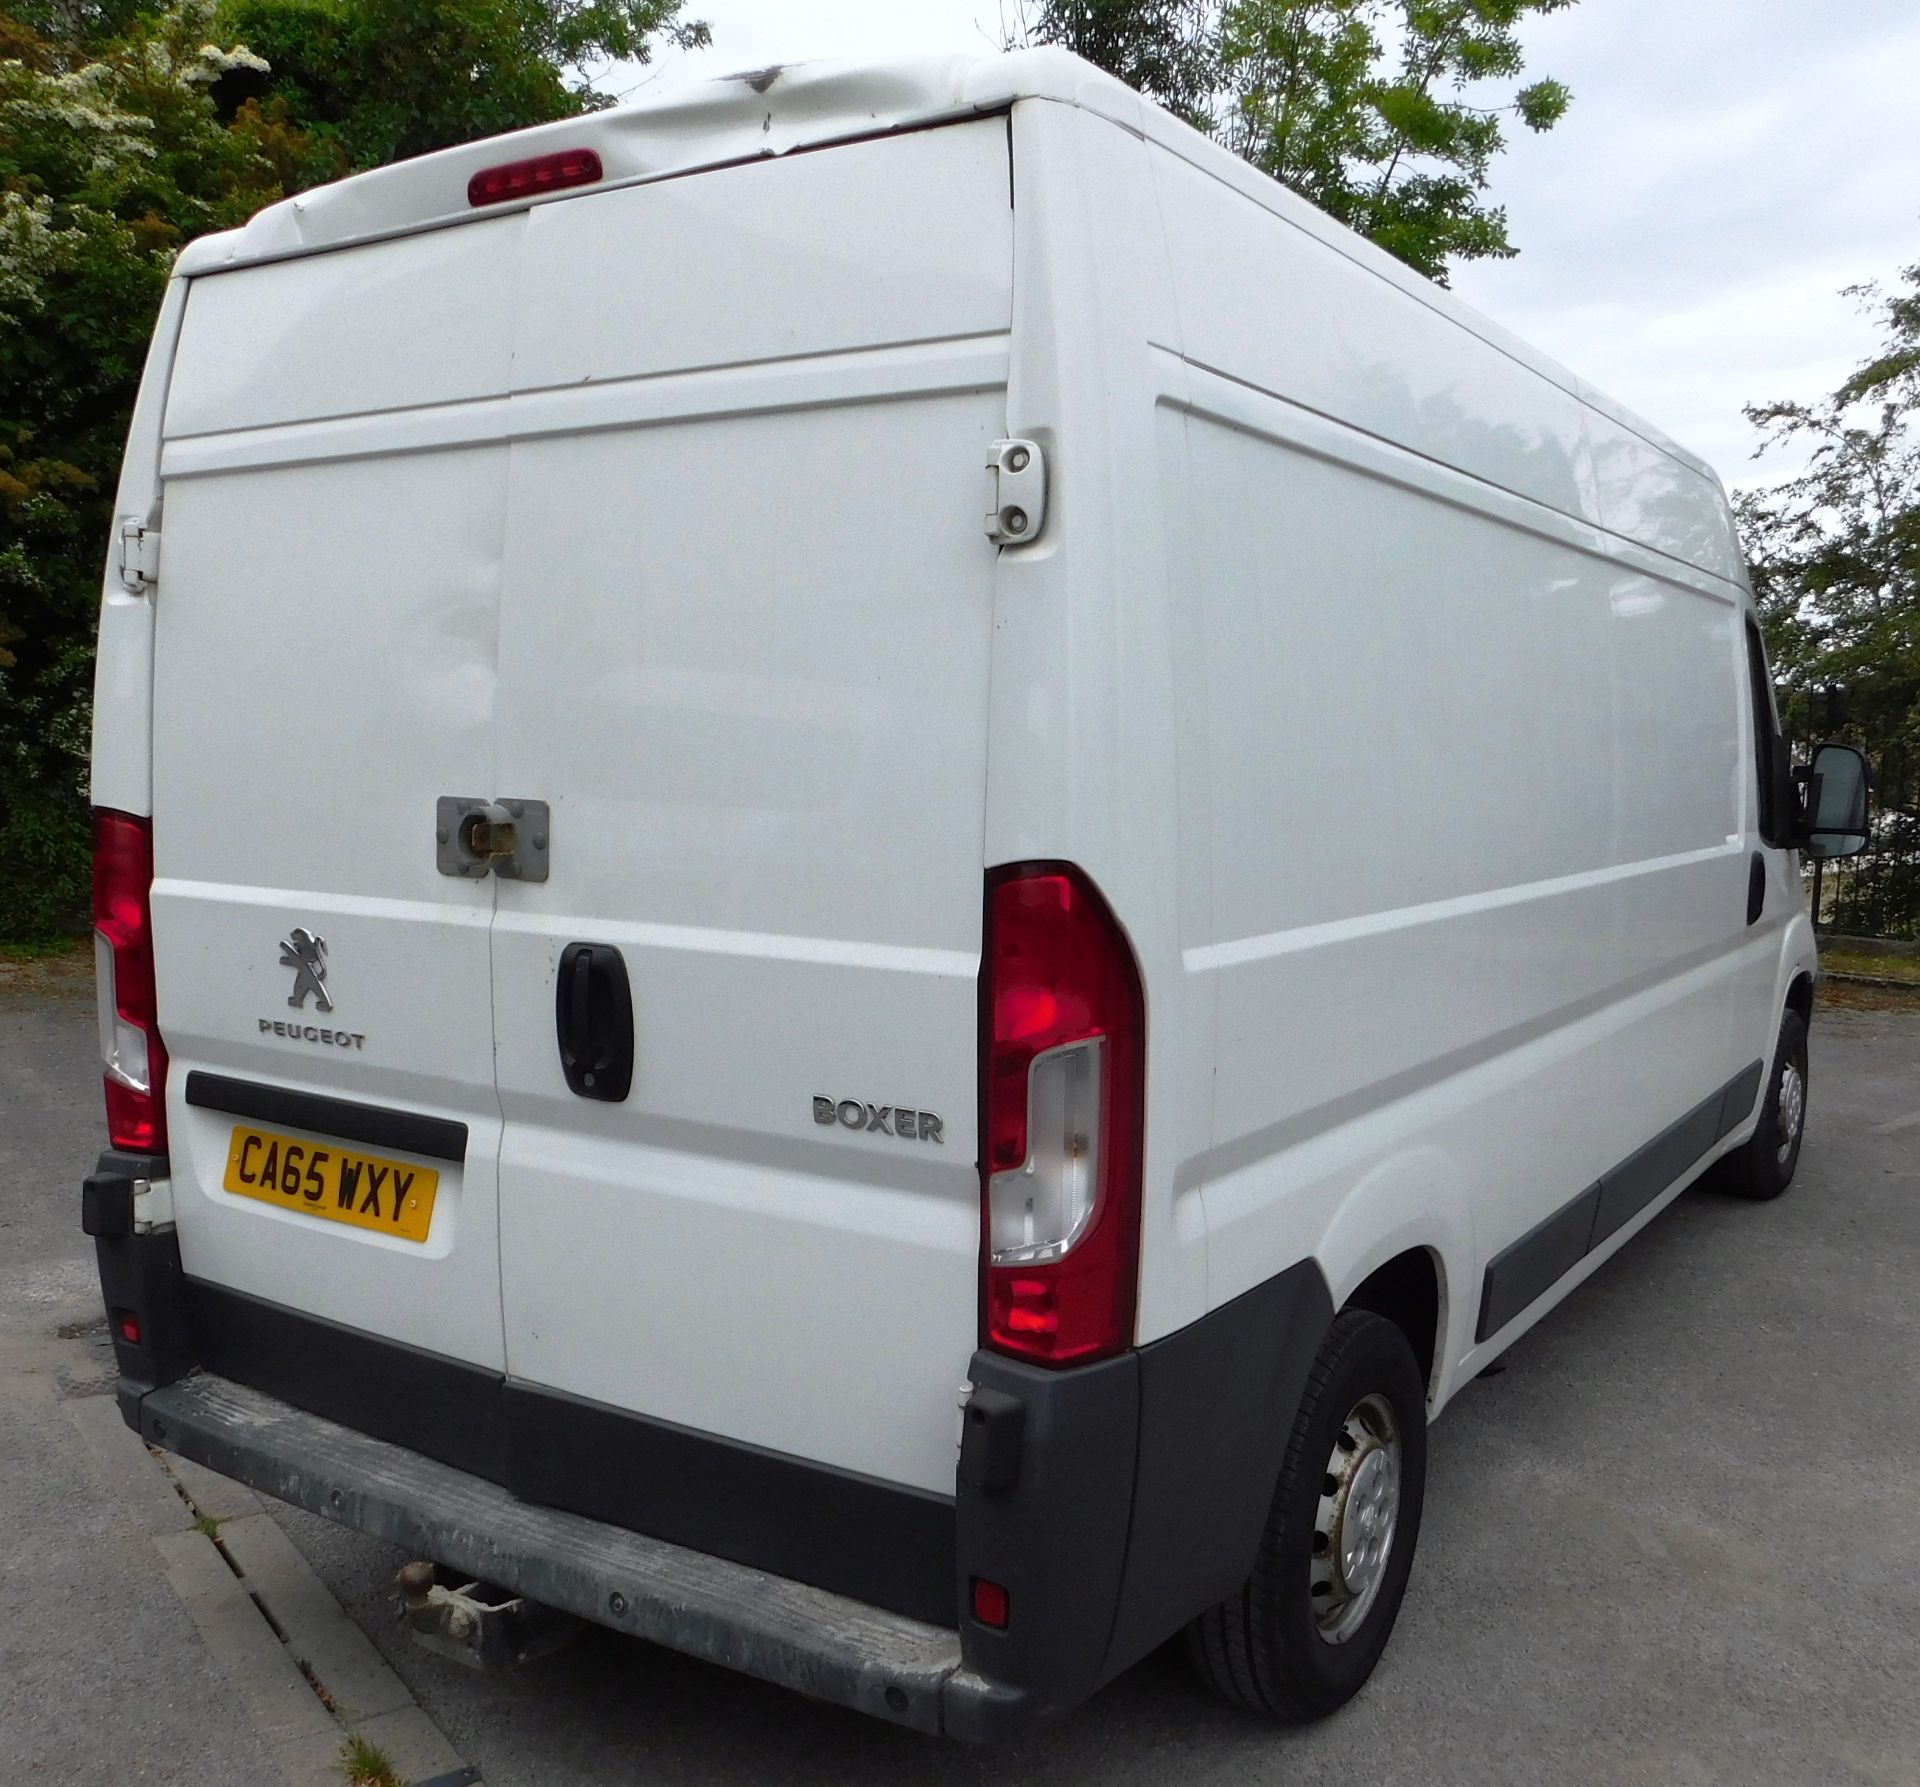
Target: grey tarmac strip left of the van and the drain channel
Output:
[{"x": 103, "y": 1679}]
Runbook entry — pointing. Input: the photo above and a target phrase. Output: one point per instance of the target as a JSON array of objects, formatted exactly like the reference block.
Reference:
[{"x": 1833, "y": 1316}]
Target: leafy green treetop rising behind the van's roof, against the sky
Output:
[{"x": 1368, "y": 108}]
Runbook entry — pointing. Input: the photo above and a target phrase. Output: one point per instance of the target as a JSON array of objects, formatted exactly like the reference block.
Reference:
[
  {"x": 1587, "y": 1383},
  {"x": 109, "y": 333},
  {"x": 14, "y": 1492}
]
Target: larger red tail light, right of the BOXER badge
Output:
[{"x": 1063, "y": 1078}]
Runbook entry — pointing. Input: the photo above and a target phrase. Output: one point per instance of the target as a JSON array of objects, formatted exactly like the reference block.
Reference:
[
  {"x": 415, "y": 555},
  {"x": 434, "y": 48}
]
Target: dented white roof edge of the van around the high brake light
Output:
[{"x": 800, "y": 107}]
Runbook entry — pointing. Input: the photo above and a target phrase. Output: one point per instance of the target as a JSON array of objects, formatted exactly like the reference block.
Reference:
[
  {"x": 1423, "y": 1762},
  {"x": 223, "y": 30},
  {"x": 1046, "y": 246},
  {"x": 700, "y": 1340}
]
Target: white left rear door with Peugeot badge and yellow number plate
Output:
[{"x": 325, "y": 665}]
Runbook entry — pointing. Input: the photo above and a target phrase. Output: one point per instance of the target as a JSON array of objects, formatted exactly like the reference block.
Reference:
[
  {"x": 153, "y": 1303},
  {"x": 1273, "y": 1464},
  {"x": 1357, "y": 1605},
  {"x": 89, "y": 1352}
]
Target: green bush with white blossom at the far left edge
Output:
[{"x": 110, "y": 158}]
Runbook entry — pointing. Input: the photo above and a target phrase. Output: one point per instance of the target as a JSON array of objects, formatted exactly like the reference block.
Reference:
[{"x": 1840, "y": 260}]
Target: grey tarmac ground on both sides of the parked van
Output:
[{"x": 1675, "y": 1540}]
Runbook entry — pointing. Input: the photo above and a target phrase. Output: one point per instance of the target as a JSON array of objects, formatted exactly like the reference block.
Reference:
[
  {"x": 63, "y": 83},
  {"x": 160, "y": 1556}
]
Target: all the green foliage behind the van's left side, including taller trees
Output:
[{"x": 126, "y": 130}]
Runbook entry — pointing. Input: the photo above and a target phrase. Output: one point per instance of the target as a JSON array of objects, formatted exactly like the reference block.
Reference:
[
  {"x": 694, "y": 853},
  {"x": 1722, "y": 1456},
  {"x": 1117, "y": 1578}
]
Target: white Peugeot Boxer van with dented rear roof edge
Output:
[{"x": 880, "y": 863}]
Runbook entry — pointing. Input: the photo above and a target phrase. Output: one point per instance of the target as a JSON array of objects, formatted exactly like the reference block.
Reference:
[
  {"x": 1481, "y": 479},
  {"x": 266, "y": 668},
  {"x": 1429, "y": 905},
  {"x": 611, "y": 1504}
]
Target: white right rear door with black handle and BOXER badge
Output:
[{"x": 744, "y": 657}]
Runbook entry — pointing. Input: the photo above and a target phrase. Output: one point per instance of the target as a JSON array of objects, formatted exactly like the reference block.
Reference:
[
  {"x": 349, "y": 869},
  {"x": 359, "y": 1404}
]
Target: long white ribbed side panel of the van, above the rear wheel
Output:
[{"x": 1472, "y": 776}]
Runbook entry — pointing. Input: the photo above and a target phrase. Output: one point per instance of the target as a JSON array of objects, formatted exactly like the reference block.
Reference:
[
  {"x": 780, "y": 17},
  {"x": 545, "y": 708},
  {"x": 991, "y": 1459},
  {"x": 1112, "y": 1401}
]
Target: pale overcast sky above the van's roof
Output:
[{"x": 1685, "y": 233}]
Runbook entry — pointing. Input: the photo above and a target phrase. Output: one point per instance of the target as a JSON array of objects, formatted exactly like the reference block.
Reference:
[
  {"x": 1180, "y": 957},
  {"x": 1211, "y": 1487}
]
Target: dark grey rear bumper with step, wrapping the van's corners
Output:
[{"x": 1111, "y": 1502}]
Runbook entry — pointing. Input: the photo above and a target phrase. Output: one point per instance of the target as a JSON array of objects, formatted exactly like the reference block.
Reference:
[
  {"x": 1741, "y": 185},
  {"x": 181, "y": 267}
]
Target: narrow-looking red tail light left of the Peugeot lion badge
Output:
[{"x": 124, "y": 966}]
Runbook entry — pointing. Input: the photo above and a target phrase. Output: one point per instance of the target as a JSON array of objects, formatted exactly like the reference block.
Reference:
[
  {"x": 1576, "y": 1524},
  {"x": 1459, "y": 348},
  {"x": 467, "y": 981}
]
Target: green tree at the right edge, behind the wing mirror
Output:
[{"x": 1836, "y": 569}]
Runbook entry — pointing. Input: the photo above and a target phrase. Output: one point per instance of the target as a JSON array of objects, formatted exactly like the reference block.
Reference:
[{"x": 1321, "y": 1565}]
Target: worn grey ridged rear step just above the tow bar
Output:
[{"x": 804, "y": 1638}]
